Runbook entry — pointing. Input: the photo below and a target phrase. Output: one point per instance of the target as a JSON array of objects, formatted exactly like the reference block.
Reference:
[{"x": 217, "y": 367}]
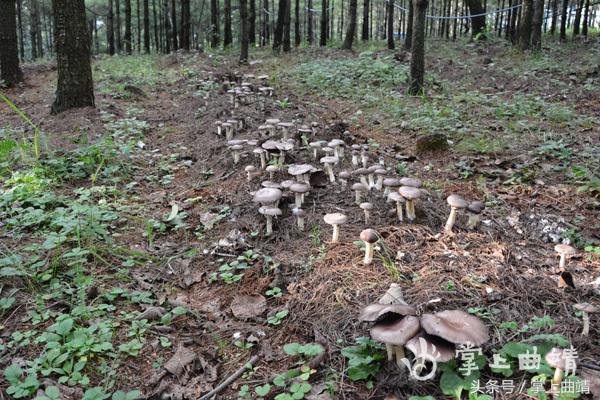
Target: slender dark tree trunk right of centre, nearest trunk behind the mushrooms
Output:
[{"x": 417, "y": 59}]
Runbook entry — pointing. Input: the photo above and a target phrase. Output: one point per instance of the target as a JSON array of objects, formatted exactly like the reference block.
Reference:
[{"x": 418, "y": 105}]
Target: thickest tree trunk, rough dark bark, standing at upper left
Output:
[{"x": 75, "y": 87}]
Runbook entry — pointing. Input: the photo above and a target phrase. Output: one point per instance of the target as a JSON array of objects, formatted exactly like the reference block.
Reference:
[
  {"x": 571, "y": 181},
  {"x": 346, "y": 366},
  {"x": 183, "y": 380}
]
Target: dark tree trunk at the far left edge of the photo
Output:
[{"x": 10, "y": 71}]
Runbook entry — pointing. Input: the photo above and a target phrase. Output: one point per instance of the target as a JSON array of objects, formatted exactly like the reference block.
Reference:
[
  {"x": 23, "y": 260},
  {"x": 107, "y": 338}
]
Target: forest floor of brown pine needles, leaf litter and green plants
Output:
[{"x": 128, "y": 242}]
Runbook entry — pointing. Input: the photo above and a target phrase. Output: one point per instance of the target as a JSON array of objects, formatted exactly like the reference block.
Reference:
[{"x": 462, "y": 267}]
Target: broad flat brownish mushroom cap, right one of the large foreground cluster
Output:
[{"x": 456, "y": 326}]
